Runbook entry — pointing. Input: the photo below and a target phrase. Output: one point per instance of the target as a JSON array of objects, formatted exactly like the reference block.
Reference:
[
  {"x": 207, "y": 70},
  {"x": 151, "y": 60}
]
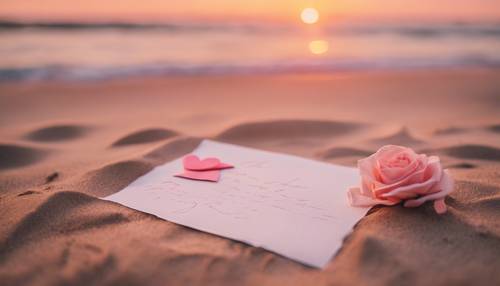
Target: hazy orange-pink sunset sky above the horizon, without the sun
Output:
[{"x": 252, "y": 10}]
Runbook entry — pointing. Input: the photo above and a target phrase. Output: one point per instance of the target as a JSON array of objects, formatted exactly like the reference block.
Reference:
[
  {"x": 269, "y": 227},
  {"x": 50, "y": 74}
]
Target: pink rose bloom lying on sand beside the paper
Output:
[{"x": 394, "y": 174}]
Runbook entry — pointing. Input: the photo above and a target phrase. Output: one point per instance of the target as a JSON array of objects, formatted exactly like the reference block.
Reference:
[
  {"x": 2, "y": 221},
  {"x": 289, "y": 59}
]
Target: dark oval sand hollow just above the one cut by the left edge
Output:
[{"x": 57, "y": 133}]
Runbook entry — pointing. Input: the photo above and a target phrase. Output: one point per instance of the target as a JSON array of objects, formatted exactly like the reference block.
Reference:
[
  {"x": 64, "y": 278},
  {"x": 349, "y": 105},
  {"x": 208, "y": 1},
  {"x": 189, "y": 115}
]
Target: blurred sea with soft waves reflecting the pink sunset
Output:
[{"x": 94, "y": 51}]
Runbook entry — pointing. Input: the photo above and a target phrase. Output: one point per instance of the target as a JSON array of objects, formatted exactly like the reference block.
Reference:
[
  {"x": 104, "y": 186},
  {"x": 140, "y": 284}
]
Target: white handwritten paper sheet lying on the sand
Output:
[{"x": 286, "y": 204}]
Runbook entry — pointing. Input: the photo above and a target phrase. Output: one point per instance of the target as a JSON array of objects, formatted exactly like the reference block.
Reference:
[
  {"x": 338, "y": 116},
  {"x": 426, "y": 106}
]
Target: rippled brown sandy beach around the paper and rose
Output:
[{"x": 64, "y": 144}]
